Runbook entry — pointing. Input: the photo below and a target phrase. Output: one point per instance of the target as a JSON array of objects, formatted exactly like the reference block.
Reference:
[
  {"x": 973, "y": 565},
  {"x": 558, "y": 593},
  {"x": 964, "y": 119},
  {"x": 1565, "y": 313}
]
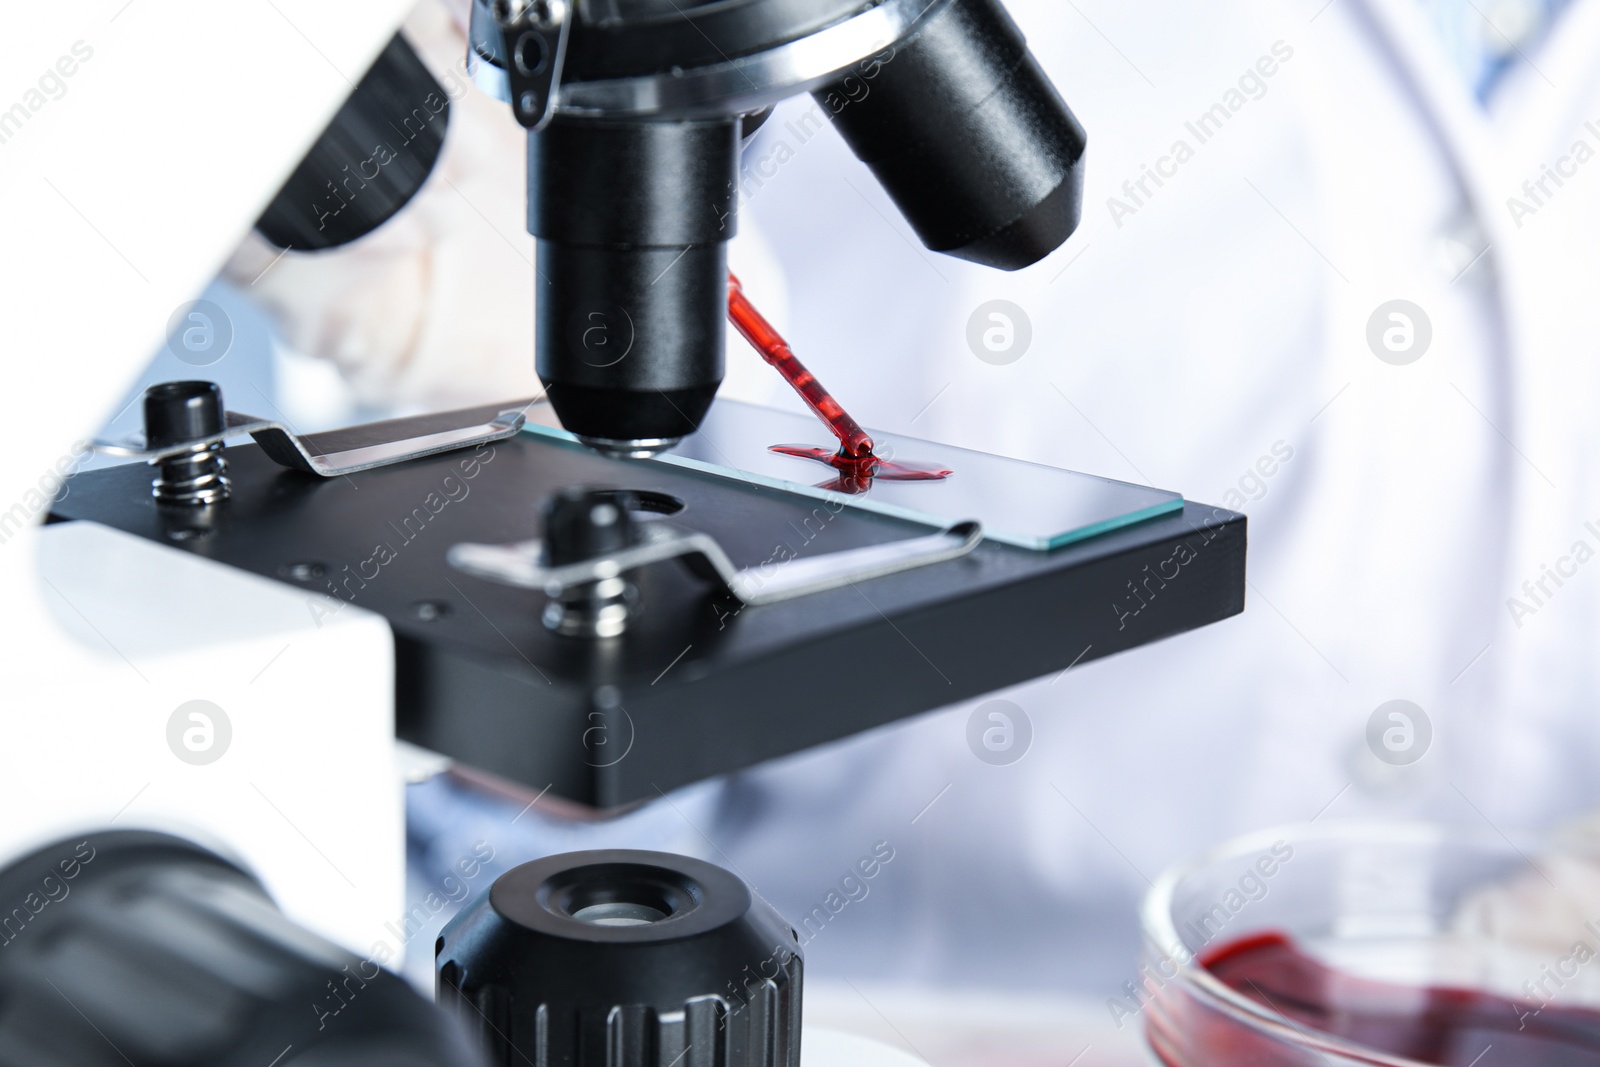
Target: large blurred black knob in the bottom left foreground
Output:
[{"x": 142, "y": 949}]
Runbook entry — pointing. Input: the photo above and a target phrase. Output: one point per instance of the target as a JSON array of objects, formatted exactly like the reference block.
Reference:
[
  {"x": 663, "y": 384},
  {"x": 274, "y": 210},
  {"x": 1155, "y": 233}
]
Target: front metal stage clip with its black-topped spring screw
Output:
[{"x": 593, "y": 545}]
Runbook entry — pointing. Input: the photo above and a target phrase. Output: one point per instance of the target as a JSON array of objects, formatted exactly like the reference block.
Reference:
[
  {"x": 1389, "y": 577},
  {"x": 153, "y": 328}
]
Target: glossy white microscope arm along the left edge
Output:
[{"x": 127, "y": 190}]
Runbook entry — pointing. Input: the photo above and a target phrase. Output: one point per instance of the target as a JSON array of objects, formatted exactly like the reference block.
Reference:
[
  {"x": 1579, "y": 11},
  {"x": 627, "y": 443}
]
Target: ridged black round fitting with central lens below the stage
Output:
[{"x": 625, "y": 959}]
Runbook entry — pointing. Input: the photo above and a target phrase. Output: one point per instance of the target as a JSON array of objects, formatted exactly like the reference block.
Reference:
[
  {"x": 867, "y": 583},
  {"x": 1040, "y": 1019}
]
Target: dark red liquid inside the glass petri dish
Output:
[{"x": 1452, "y": 1028}]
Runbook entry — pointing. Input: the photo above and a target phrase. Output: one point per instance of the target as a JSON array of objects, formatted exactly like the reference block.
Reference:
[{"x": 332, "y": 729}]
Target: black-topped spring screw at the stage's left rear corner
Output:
[{"x": 186, "y": 412}]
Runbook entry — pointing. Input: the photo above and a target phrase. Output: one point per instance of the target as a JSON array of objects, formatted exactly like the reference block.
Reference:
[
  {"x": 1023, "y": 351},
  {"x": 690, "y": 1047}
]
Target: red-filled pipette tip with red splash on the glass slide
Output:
[{"x": 855, "y": 460}]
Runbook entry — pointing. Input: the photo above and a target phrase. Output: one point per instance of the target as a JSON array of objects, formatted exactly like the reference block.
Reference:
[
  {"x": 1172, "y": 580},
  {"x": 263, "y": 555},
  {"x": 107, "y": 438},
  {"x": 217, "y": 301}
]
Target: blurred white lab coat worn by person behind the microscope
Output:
[{"x": 1220, "y": 326}]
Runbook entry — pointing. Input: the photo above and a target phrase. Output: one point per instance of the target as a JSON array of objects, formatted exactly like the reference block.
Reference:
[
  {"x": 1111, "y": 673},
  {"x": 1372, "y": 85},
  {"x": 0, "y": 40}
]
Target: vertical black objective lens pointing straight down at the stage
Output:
[{"x": 633, "y": 222}]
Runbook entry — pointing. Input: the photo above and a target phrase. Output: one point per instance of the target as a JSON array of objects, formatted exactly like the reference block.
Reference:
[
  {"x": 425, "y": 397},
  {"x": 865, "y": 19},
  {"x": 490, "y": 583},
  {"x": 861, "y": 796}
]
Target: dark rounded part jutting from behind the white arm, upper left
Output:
[{"x": 372, "y": 159}]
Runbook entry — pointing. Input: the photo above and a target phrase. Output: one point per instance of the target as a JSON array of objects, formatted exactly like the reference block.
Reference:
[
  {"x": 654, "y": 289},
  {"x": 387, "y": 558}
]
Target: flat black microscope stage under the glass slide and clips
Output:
[{"x": 695, "y": 687}]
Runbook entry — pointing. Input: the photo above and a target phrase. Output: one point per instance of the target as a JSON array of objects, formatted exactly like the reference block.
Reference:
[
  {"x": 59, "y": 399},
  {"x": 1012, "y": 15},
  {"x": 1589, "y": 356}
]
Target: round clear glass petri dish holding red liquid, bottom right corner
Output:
[{"x": 1375, "y": 945}]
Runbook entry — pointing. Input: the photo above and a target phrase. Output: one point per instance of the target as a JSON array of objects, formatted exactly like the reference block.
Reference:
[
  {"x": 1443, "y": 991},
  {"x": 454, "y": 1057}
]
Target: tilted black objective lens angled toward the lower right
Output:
[{"x": 969, "y": 137}]
